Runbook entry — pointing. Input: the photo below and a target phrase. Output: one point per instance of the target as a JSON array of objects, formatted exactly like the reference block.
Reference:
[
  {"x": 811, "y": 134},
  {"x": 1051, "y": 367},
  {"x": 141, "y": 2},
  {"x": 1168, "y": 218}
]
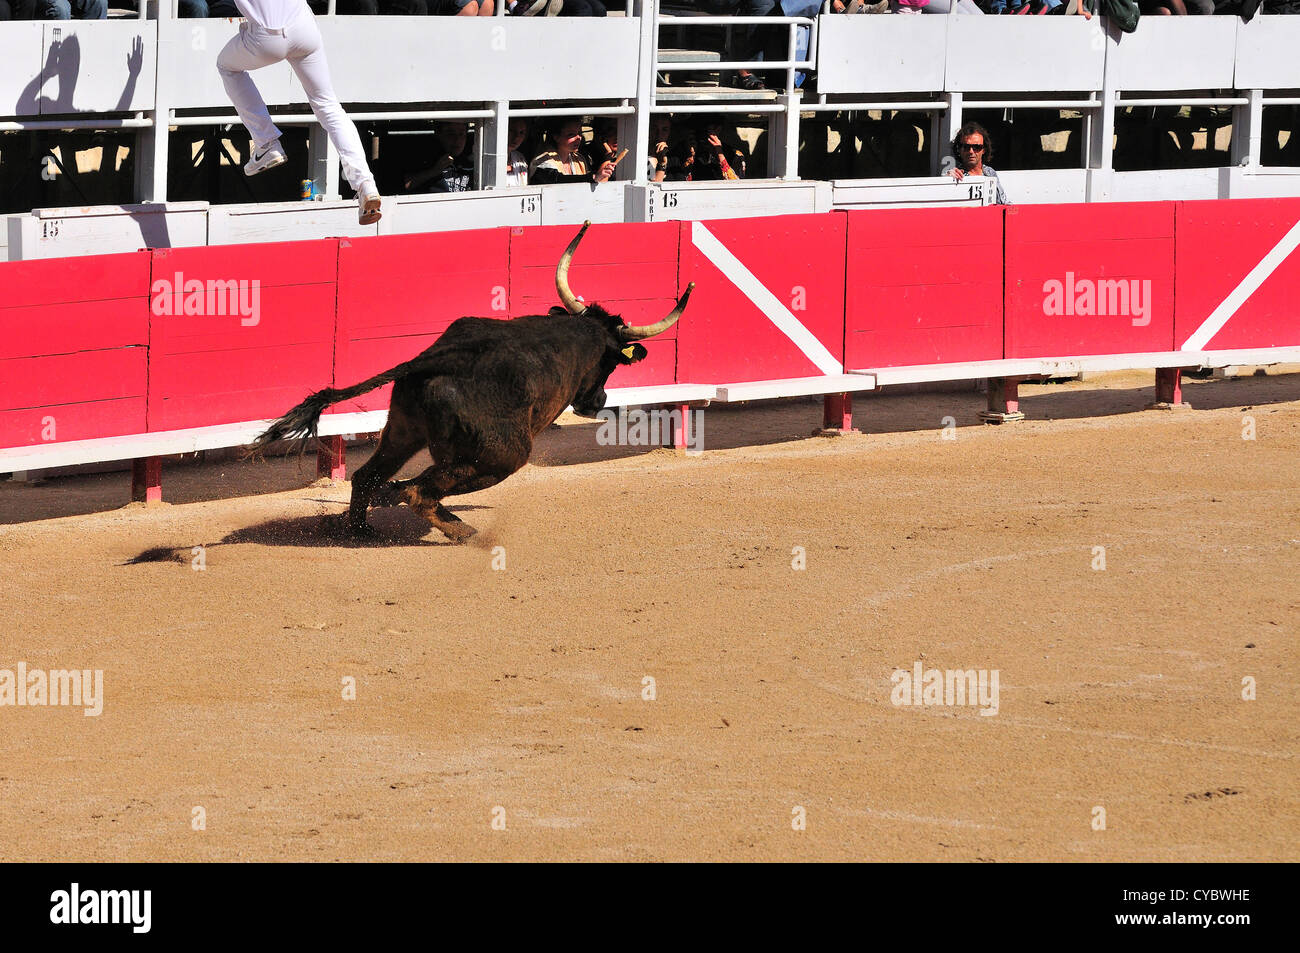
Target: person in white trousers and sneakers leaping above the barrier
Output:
[{"x": 278, "y": 31}]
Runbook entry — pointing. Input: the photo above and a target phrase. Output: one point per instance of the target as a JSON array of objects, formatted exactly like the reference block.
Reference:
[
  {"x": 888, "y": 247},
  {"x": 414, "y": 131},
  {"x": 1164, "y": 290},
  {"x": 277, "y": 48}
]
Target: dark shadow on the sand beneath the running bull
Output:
[{"x": 393, "y": 527}]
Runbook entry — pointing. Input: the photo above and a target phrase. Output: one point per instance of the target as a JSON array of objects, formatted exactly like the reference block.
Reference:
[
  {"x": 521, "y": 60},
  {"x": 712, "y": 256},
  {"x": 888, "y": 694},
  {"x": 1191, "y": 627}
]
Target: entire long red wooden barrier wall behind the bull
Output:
[{"x": 105, "y": 346}]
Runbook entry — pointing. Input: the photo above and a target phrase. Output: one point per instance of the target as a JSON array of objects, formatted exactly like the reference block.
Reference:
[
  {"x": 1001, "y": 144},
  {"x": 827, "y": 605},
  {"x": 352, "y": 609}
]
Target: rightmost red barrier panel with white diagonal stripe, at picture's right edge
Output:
[{"x": 1220, "y": 244}]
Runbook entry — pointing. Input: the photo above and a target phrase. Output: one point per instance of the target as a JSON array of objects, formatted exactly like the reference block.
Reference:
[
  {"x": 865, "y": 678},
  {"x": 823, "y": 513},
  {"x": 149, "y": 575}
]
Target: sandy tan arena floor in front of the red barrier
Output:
[{"x": 518, "y": 692}]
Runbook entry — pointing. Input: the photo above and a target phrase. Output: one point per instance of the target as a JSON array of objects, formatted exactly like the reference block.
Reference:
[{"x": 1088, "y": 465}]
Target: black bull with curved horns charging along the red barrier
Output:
[{"x": 478, "y": 398}]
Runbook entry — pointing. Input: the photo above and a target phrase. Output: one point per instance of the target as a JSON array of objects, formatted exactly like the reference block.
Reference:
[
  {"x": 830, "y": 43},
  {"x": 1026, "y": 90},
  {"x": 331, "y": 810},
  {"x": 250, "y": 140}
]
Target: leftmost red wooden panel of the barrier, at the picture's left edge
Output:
[{"x": 73, "y": 349}]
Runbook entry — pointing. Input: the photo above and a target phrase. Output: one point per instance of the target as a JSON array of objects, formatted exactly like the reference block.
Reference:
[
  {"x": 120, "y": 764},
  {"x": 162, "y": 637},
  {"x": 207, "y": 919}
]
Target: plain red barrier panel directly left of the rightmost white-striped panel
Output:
[{"x": 1076, "y": 274}]
